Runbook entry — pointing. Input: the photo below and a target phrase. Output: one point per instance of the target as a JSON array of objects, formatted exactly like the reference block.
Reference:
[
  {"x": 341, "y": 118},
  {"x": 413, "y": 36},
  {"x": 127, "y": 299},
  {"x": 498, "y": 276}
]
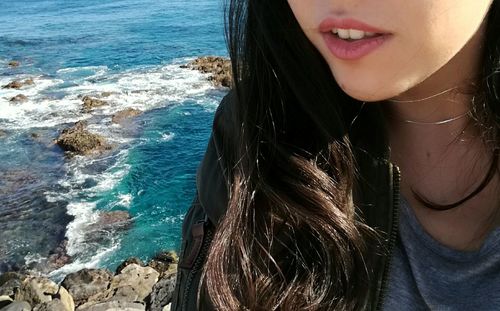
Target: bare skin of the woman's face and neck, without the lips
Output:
[{"x": 434, "y": 46}]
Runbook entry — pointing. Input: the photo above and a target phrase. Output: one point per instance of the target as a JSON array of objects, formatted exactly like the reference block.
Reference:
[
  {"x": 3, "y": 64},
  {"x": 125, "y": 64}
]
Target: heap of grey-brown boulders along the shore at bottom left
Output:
[{"x": 134, "y": 286}]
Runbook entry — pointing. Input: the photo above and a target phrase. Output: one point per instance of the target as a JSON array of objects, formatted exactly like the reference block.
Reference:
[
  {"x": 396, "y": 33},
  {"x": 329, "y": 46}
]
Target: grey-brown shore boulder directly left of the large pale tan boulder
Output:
[{"x": 86, "y": 283}]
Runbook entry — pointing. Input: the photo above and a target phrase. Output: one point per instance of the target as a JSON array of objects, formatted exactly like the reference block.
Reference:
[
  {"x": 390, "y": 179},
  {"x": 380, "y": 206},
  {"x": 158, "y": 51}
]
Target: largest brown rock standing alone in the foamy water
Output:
[{"x": 78, "y": 140}]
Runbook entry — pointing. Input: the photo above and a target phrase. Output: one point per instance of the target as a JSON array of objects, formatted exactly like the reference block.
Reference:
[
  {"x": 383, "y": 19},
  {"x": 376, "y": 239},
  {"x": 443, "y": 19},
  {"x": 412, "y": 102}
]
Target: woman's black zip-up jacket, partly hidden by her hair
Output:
[{"x": 376, "y": 194}]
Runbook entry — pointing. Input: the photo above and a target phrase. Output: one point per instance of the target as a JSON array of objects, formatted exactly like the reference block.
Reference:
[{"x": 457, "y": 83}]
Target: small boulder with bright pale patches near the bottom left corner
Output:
[{"x": 36, "y": 290}]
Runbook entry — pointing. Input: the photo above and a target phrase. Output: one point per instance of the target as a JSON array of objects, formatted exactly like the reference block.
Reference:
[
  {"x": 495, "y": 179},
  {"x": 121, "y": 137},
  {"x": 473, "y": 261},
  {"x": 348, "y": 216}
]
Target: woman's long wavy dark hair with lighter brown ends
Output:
[{"x": 291, "y": 239}]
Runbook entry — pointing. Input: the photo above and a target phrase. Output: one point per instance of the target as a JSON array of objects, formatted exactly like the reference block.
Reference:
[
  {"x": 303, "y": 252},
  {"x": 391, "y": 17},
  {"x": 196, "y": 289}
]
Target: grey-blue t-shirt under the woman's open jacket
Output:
[{"x": 426, "y": 275}]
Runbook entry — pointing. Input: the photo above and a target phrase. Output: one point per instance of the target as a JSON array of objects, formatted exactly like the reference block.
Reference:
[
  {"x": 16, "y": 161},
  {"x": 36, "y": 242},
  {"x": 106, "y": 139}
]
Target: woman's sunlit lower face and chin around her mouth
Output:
[{"x": 424, "y": 35}]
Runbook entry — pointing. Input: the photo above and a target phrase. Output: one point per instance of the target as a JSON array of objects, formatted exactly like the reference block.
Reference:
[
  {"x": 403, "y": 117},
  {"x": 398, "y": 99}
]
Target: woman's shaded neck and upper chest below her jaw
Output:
[{"x": 444, "y": 161}]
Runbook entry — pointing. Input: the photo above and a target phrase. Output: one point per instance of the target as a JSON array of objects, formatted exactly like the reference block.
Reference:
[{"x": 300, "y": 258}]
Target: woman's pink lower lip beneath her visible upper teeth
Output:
[{"x": 352, "y": 50}]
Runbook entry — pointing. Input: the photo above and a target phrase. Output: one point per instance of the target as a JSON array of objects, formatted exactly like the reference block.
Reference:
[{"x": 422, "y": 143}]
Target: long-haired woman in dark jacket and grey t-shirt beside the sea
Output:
[{"x": 354, "y": 163}]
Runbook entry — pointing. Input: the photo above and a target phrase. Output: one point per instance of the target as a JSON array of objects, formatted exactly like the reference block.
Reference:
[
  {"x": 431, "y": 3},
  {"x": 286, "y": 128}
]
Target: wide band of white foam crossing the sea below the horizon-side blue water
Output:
[{"x": 56, "y": 101}]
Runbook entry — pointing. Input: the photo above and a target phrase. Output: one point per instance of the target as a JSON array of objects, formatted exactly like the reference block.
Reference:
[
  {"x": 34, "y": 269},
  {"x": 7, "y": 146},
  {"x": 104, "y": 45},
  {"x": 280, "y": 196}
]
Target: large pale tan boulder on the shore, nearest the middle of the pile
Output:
[{"x": 134, "y": 283}]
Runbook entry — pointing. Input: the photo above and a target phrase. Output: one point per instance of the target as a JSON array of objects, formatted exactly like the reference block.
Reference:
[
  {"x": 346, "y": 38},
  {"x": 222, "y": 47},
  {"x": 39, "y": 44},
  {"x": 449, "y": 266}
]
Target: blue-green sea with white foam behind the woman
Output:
[{"x": 132, "y": 51}]
